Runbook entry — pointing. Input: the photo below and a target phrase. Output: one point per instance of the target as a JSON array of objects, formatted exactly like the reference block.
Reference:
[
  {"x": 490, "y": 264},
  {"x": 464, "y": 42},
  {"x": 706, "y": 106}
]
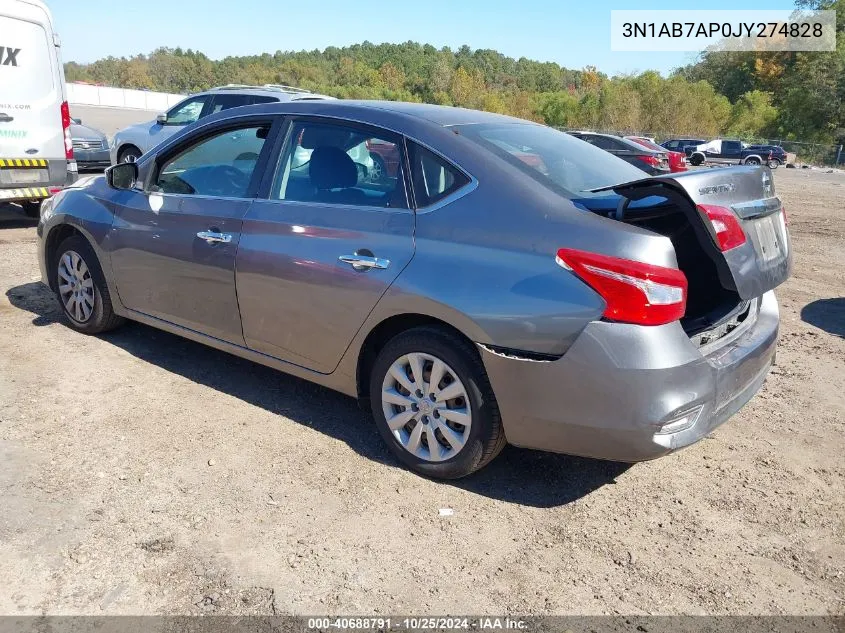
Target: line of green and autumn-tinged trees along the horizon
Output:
[{"x": 798, "y": 96}]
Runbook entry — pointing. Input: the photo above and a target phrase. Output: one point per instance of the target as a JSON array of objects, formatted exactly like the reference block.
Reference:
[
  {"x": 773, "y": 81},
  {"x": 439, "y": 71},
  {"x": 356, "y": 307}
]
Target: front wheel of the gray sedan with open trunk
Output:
[{"x": 81, "y": 289}]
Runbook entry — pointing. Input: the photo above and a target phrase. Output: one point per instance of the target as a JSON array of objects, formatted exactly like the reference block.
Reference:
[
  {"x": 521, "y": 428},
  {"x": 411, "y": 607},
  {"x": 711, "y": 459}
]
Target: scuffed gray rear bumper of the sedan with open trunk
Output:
[{"x": 618, "y": 384}]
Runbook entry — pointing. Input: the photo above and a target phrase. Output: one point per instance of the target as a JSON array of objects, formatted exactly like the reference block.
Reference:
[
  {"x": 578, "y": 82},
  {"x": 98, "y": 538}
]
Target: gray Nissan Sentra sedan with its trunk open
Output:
[{"x": 493, "y": 281}]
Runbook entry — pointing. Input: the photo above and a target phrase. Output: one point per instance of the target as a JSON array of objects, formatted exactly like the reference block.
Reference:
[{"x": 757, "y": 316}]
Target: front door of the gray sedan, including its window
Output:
[{"x": 174, "y": 244}]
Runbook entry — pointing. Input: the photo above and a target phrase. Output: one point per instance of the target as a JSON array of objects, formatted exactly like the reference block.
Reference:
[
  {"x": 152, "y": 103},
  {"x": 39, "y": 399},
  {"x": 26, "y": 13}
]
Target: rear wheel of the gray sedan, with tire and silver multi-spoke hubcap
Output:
[{"x": 433, "y": 404}]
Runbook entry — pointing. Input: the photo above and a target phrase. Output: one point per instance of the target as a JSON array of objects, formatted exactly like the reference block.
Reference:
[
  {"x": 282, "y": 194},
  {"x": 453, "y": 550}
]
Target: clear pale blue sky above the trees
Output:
[{"x": 573, "y": 34}]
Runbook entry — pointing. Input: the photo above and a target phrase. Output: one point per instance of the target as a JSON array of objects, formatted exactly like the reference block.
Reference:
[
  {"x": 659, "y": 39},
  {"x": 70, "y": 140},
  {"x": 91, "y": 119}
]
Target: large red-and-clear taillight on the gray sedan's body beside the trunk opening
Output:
[{"x": 634, "y": 292}]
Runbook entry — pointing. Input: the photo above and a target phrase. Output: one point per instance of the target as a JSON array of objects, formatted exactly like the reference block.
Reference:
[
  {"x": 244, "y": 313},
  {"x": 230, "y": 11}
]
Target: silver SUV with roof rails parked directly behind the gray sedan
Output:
[{"x": 130, "y": 143}]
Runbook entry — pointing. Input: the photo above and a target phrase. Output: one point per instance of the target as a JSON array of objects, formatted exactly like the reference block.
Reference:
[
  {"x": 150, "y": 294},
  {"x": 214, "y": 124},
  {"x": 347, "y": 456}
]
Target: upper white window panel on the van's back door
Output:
[{"x": 26, "y": 72}]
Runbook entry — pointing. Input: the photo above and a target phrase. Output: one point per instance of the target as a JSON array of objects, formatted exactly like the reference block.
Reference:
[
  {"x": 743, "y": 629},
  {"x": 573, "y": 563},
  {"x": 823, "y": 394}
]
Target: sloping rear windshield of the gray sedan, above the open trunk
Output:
[{"x": 563, "y": 163}]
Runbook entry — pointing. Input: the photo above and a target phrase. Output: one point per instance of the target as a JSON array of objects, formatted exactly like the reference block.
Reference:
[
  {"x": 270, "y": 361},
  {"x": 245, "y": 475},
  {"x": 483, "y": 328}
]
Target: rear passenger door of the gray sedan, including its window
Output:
[{"x": 315, "y": 257}]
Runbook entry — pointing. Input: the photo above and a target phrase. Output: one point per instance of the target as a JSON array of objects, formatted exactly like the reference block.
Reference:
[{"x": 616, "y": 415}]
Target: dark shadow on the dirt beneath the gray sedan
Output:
[{"x": 520, "y": 476}]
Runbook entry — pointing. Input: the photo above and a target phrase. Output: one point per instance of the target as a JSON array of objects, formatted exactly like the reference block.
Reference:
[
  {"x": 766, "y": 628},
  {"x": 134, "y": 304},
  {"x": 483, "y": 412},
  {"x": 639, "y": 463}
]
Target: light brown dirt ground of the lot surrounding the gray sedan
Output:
[{"x": 142, "y": 473}]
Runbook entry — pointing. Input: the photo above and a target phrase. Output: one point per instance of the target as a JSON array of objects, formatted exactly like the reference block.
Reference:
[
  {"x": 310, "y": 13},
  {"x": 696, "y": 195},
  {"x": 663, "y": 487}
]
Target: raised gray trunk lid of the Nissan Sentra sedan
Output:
[{"x": 754, "y": 267}]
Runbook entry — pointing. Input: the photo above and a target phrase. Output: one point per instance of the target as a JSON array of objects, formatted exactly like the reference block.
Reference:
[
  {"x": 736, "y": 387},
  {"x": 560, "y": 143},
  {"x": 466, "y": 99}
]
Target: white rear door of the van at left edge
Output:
[{"x": 31, "y": 91}]
